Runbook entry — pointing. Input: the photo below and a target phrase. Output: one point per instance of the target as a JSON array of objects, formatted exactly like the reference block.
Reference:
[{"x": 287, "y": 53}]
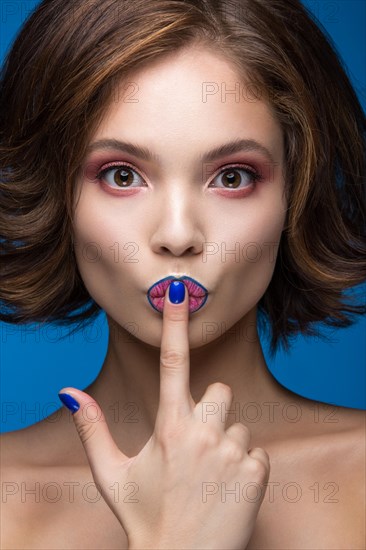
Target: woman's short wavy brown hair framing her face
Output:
[{"x": 55, "y": 85}]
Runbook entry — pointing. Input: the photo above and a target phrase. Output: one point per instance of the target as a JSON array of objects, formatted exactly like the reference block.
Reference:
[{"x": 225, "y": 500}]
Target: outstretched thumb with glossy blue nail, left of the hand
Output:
[{"x": 100, "y": 447}]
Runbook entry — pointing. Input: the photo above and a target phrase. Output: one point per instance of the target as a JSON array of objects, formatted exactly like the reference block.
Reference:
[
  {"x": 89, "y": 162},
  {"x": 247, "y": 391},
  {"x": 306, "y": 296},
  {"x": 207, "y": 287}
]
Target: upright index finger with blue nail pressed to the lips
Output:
[{"x": 175, "y": 398}]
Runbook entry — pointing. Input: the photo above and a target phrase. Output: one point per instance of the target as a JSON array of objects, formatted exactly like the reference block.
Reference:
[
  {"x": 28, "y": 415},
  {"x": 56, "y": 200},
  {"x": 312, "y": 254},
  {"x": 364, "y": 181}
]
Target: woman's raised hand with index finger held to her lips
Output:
[{"x": 185, "y": 475}]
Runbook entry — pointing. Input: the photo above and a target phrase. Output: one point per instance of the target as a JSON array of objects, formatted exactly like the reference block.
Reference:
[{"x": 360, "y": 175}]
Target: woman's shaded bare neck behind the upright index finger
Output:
[{"x": 127, "y": 387}]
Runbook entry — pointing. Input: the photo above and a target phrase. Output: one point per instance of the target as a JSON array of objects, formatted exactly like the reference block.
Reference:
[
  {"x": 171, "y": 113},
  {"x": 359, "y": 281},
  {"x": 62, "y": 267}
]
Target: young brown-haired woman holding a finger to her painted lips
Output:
[{"x": 130, "y": 172}]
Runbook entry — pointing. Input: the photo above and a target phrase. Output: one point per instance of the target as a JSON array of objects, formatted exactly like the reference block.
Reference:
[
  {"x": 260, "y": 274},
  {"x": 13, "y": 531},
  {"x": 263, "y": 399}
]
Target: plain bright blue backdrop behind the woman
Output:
[{"x": 35, "y": 364}]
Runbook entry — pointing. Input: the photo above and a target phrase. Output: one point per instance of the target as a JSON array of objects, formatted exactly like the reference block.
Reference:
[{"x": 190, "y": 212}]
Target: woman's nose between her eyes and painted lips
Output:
[{"x": 178, "y": 230}]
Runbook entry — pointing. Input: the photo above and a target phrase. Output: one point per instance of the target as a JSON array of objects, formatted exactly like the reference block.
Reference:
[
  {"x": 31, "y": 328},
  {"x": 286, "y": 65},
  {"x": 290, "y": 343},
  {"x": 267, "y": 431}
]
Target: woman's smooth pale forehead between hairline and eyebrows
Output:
[{"x": 190, "y": 96}]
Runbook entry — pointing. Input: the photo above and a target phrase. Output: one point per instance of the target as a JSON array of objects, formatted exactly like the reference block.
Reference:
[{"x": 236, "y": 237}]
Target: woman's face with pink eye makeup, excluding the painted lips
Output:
[{"x": 181, "y": 212}]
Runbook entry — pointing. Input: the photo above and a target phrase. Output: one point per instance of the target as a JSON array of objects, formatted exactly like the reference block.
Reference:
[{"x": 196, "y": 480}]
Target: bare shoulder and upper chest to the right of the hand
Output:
[{"x": 322, "y": 459}]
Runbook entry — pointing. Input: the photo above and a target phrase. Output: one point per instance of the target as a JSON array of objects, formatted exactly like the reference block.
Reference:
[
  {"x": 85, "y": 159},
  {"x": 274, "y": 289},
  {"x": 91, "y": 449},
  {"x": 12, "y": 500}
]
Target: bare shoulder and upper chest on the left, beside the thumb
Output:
[{"x": 45, "y": 487}]
